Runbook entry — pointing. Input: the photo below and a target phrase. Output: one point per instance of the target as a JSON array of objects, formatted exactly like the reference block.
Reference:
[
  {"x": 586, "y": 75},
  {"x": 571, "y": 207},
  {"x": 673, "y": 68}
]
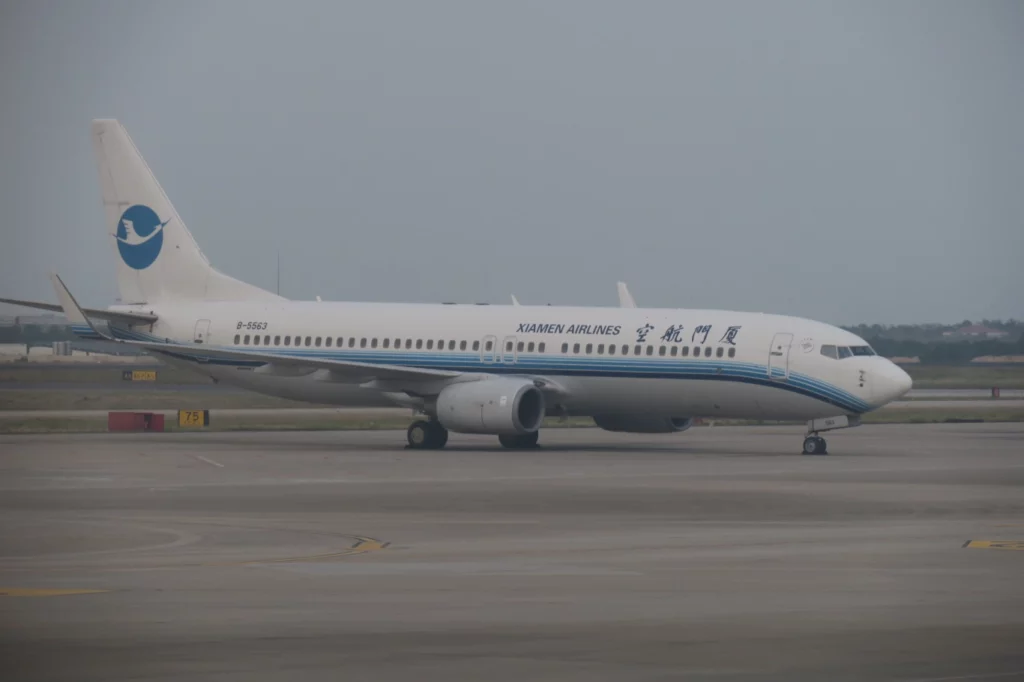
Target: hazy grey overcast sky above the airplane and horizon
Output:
[{"x": 848, "y": 162}]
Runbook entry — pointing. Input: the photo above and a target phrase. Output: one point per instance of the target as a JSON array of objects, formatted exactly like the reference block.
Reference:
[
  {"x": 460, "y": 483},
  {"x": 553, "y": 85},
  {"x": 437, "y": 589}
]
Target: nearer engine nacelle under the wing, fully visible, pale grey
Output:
[{"x": 500, "y": 407}]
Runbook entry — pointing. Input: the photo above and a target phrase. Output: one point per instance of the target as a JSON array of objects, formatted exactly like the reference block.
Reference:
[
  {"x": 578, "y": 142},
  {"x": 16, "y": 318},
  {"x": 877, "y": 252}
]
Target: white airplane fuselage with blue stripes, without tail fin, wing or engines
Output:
[{"x": 666, "y": 362}]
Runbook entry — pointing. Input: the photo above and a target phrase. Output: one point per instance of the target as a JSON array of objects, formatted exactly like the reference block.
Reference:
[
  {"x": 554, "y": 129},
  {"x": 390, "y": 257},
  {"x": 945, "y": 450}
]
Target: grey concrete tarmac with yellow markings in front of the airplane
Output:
[{"x": 715, "y": 555}]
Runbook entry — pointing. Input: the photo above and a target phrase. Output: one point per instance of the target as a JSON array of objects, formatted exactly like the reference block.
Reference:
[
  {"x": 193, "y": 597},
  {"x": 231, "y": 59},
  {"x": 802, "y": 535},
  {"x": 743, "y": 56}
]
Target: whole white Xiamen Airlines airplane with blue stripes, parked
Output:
[{"x": 468, "y": 369}]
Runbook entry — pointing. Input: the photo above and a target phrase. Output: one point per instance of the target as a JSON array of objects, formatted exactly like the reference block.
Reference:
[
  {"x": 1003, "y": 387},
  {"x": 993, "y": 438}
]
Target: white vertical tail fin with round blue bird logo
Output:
[{"x": 158, "y": 260}]
